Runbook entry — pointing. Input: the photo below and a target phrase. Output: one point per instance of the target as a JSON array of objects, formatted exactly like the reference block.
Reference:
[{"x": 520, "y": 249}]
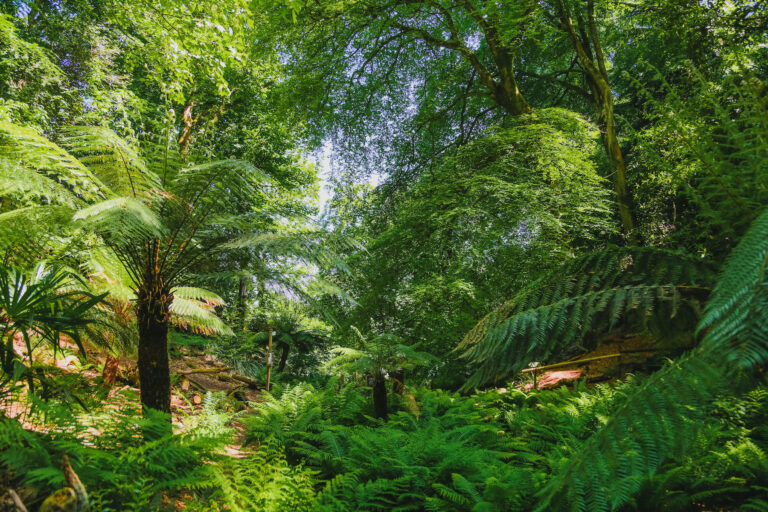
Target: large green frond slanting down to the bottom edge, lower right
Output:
[{"x": 660, "y": 418}]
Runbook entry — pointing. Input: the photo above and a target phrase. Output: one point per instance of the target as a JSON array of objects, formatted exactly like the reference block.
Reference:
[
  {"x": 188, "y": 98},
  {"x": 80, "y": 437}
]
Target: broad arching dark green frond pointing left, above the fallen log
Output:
[{"x": 636, "y": 287}]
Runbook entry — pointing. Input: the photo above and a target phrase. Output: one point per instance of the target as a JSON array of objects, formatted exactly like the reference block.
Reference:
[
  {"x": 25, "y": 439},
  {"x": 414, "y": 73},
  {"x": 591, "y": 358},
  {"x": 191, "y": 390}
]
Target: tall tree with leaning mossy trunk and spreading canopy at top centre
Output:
[{"x": 423, "y": 76}]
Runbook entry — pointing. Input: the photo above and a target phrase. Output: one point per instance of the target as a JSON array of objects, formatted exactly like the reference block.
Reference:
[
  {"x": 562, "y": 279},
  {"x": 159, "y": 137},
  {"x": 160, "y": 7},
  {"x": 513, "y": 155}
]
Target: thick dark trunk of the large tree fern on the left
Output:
[{"x": 152, "y": 313}]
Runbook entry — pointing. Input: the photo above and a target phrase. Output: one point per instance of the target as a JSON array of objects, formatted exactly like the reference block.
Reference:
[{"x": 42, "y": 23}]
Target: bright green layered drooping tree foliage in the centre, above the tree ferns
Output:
[{"x": 486, "y": 219}]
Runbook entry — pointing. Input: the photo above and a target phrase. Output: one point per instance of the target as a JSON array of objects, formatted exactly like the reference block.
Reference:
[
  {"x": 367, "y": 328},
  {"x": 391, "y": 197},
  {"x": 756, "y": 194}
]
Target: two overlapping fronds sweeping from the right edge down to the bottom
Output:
[{"x": 663, "y": 416}]
